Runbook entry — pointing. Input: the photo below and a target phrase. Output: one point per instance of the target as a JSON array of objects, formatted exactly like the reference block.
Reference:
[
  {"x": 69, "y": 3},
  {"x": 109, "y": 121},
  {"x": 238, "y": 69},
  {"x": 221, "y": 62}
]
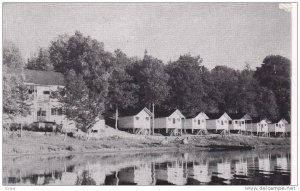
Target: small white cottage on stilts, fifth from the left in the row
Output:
[{"x": 238, "y": 123}]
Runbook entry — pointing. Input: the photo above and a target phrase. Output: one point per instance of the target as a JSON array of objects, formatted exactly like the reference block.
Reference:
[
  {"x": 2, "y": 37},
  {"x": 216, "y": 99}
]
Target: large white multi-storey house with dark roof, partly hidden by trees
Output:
[{"x": 43, "y": 108}]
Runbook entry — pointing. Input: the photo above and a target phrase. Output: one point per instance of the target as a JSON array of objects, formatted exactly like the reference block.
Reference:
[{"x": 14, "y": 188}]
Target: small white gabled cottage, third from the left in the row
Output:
[{"x": 197, "y": 123}]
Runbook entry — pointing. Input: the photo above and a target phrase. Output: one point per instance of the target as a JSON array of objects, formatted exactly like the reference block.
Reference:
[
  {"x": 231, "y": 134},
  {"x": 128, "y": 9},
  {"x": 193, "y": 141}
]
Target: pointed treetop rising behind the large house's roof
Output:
[{"x": 40, "y": 61}]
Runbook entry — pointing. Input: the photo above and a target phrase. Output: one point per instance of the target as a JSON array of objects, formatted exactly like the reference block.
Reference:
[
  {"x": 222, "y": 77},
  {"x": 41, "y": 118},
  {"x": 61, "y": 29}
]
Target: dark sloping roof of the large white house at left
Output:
[{"x": 43, "y": 77}]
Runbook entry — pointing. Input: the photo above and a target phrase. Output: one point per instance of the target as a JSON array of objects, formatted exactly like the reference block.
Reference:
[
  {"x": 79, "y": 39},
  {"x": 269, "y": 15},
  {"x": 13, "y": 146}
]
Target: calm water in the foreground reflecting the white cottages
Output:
[{"x": 264, "y": 167}]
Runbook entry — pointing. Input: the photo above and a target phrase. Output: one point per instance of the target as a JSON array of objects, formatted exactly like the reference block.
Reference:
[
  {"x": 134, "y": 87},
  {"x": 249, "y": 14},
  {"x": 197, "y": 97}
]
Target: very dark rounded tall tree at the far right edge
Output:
[{"x": 274, "y": 74}]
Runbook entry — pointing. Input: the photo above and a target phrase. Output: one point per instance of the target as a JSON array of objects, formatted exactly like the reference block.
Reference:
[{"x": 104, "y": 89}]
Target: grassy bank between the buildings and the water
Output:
[{"x": 39, "y": 143}]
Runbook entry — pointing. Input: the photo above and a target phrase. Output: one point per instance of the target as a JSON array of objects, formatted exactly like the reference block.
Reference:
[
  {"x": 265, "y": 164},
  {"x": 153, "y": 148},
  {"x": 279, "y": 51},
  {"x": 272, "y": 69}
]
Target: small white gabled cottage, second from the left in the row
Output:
[{"x": 170, "y": 121}]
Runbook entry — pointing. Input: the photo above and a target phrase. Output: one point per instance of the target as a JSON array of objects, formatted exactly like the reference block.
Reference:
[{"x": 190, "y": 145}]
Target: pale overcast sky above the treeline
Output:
[{"x": 221, "y": 33}]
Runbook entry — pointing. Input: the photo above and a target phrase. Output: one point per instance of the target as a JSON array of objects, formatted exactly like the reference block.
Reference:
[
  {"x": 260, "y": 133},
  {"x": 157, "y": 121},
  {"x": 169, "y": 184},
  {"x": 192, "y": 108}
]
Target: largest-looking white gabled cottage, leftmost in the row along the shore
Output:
[{"x": 136, "y": 120}]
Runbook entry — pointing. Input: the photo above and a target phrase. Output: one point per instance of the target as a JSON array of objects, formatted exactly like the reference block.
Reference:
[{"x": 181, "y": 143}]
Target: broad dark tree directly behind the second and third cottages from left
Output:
[{"x": 188, "y": 82}]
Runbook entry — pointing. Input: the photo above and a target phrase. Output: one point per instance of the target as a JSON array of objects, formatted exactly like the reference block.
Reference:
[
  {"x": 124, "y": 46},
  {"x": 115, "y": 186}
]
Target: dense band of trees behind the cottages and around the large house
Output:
[{"x": 99, "y": 81}]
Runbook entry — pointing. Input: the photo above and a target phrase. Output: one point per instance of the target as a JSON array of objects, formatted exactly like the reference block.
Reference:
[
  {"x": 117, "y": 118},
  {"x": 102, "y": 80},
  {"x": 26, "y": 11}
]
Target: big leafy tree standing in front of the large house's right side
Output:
[{"x": 84, "y": 59}]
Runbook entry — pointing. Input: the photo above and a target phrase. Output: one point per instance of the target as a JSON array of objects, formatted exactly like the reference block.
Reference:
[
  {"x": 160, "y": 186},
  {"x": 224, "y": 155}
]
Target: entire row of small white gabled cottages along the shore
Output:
[{"x": 174, "y": 120}]
